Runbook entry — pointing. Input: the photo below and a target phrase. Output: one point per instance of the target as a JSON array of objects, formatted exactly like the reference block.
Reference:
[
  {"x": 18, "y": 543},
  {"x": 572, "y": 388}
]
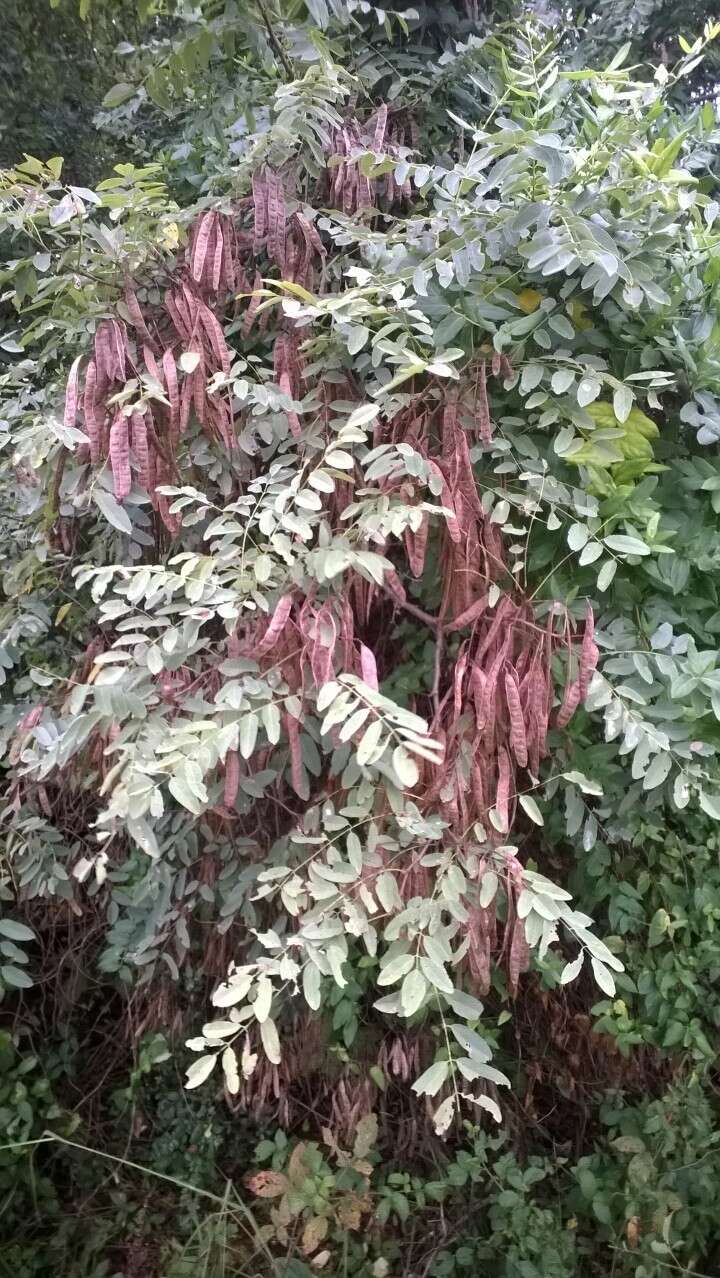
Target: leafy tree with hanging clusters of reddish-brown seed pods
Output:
[{"x": 369, "y": 525}]
